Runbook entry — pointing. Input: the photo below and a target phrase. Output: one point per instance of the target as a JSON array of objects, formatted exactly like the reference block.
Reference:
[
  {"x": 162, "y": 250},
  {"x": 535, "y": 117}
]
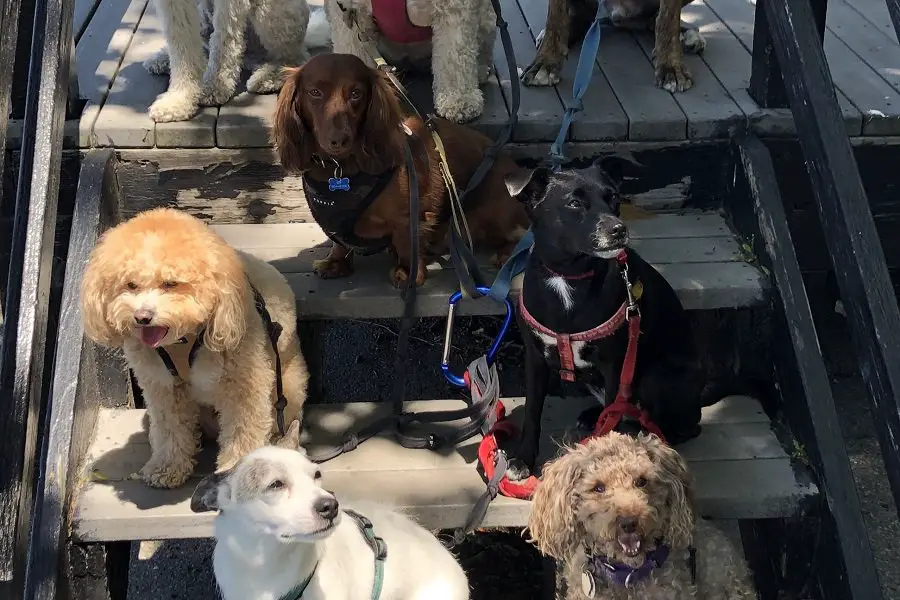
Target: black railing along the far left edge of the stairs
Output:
[{"x": 27, "y": 288}]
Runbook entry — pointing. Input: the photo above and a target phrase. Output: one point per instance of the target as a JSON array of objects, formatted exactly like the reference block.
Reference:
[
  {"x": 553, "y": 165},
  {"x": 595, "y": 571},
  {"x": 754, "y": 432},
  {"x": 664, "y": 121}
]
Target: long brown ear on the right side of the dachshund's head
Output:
[{"x": 381, "y": 139}]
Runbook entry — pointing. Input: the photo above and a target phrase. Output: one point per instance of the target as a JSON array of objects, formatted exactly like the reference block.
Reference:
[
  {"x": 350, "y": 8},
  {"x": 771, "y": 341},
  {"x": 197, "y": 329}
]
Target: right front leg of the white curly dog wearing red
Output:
[{"x": 454, "y": 60}]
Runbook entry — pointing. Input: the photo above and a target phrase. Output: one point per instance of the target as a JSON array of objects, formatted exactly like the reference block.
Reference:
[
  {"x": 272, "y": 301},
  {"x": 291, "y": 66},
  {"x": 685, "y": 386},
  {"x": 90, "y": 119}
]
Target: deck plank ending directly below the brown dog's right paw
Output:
[{"x": 652, "y": 112}]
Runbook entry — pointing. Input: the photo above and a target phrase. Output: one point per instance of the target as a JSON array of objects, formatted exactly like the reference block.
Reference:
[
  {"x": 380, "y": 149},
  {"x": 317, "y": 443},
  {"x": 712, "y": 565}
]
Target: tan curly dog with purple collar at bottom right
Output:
[{"x": 617, "y": 513}]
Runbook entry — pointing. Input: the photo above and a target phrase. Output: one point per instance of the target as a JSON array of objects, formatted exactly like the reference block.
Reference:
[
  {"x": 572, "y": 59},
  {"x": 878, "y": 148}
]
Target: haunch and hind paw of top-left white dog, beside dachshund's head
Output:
[{"x": 281, "y": 26}]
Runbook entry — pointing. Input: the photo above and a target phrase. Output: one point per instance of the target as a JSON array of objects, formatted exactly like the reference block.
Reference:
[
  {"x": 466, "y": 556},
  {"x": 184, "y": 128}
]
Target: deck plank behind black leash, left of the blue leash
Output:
[{"x": 541, "y": 110}]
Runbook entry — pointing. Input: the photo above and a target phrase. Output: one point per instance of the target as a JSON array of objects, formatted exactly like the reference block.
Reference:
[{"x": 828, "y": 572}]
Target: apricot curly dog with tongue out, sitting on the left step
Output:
[{"x": 185, "y": 308}]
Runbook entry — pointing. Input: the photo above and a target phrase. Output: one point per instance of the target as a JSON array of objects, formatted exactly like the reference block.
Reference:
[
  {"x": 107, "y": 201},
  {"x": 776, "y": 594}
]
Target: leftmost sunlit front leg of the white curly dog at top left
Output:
[{"x": 187, "y": 61}]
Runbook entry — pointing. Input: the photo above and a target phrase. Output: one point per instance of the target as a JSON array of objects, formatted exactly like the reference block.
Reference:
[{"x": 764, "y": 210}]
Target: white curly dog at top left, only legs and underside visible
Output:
[{"x": 197, "y": 80}]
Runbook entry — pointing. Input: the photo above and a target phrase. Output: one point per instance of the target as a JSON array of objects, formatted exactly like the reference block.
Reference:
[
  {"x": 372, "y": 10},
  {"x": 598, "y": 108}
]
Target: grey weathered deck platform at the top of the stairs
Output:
[{"x": 115, "y": 36}]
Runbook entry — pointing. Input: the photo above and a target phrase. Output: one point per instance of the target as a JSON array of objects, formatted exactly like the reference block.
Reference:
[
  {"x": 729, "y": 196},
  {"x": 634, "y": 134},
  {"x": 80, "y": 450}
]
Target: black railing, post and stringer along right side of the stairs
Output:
[{"x": 788, "y": 39}]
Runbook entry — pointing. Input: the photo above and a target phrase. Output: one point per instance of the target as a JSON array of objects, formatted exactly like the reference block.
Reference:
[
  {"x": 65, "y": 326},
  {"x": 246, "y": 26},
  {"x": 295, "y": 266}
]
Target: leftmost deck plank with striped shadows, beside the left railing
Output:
[{"x": 98, "y": 55}]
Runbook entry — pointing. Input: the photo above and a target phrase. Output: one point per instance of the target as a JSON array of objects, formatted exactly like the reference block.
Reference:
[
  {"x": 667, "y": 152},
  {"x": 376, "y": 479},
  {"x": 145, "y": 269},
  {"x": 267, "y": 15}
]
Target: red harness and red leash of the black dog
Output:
[{"x": 489, "y": 449}]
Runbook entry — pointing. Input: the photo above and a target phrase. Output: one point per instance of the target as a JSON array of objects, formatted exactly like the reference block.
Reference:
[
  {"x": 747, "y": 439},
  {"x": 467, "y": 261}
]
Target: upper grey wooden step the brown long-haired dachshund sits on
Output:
[{"x": 695, "y": 251}]
